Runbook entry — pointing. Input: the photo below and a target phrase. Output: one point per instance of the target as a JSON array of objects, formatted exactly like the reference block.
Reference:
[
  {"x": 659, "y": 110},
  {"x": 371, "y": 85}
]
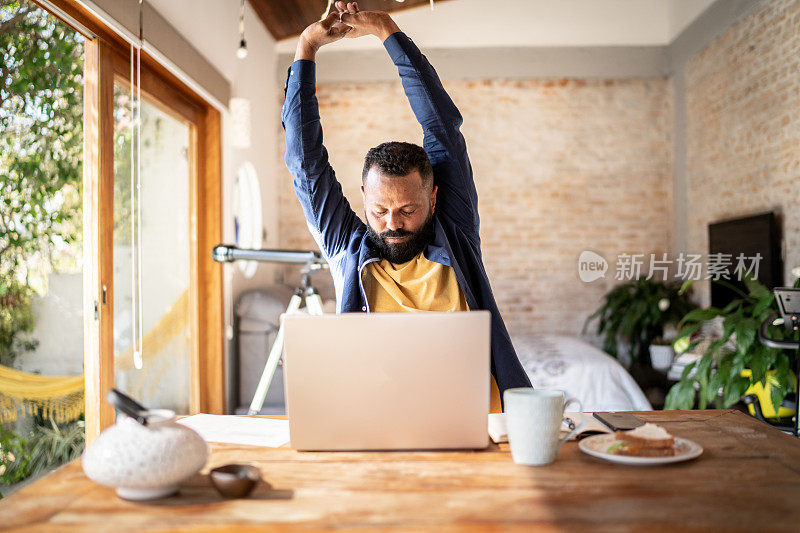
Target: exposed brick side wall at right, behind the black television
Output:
[{"x": 743, "y": 126}]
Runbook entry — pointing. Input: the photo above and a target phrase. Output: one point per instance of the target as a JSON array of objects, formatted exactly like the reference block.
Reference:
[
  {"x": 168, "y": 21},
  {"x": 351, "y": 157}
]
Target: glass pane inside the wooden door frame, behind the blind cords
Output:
[{"x": 151, "y": 254}]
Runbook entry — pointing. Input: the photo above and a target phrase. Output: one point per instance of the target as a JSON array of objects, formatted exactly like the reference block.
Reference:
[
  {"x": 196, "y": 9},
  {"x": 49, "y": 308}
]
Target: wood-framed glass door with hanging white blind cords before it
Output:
[{"x": 154, "y": 327}]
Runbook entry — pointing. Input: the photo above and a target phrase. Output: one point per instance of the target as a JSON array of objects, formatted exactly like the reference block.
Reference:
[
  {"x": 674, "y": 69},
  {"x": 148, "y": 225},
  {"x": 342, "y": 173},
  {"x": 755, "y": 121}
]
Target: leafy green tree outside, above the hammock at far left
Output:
[{"x": 41, "y": 110}]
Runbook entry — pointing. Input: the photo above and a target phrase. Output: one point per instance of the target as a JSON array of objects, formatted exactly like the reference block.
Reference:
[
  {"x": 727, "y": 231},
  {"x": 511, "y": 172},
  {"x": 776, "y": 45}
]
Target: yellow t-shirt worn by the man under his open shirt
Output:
[{"x": 418, "y": 285}]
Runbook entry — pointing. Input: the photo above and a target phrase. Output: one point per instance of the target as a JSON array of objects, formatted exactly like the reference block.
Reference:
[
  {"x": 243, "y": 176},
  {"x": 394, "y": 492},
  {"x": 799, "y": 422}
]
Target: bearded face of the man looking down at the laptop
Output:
[{"x": 399, "y": 211}]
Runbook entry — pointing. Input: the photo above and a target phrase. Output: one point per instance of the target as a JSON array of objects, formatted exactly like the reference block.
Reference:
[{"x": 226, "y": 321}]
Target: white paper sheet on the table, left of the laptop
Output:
[{"x": 239, "y": 429}]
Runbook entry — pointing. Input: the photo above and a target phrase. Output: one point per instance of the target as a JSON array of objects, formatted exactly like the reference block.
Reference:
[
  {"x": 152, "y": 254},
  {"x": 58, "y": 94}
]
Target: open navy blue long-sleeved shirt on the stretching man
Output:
[{"x": 342, "y": 236}]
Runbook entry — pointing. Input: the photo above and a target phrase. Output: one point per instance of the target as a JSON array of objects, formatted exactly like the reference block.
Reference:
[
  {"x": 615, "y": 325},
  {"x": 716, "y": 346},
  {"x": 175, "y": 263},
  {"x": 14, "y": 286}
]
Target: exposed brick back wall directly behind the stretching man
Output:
[{"x": 561, "y": 166}]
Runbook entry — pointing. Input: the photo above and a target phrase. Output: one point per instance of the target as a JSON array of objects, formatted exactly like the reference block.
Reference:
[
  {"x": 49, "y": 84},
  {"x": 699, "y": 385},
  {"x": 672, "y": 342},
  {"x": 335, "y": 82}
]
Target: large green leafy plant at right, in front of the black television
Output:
[{"x": 720, "y": 367}]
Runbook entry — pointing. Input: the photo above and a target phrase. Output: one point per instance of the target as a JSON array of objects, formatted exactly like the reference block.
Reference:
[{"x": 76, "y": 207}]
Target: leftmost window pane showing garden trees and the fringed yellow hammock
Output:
[{"x": 41, "y": 282}]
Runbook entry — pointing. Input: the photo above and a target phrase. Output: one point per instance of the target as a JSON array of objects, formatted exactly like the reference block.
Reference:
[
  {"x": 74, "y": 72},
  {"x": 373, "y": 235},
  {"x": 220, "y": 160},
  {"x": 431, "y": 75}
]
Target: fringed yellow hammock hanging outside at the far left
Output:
[{"x": 59, "y": 398}]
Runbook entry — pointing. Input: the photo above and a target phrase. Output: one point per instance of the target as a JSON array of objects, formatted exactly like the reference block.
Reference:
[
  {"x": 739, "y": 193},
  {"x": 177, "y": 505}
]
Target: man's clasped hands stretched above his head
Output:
[{"x": 346, "y": 21}]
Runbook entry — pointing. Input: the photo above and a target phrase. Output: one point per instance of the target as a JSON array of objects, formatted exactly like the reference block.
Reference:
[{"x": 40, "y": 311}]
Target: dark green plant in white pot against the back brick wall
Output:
[{"x": 637, "y": 312}]
